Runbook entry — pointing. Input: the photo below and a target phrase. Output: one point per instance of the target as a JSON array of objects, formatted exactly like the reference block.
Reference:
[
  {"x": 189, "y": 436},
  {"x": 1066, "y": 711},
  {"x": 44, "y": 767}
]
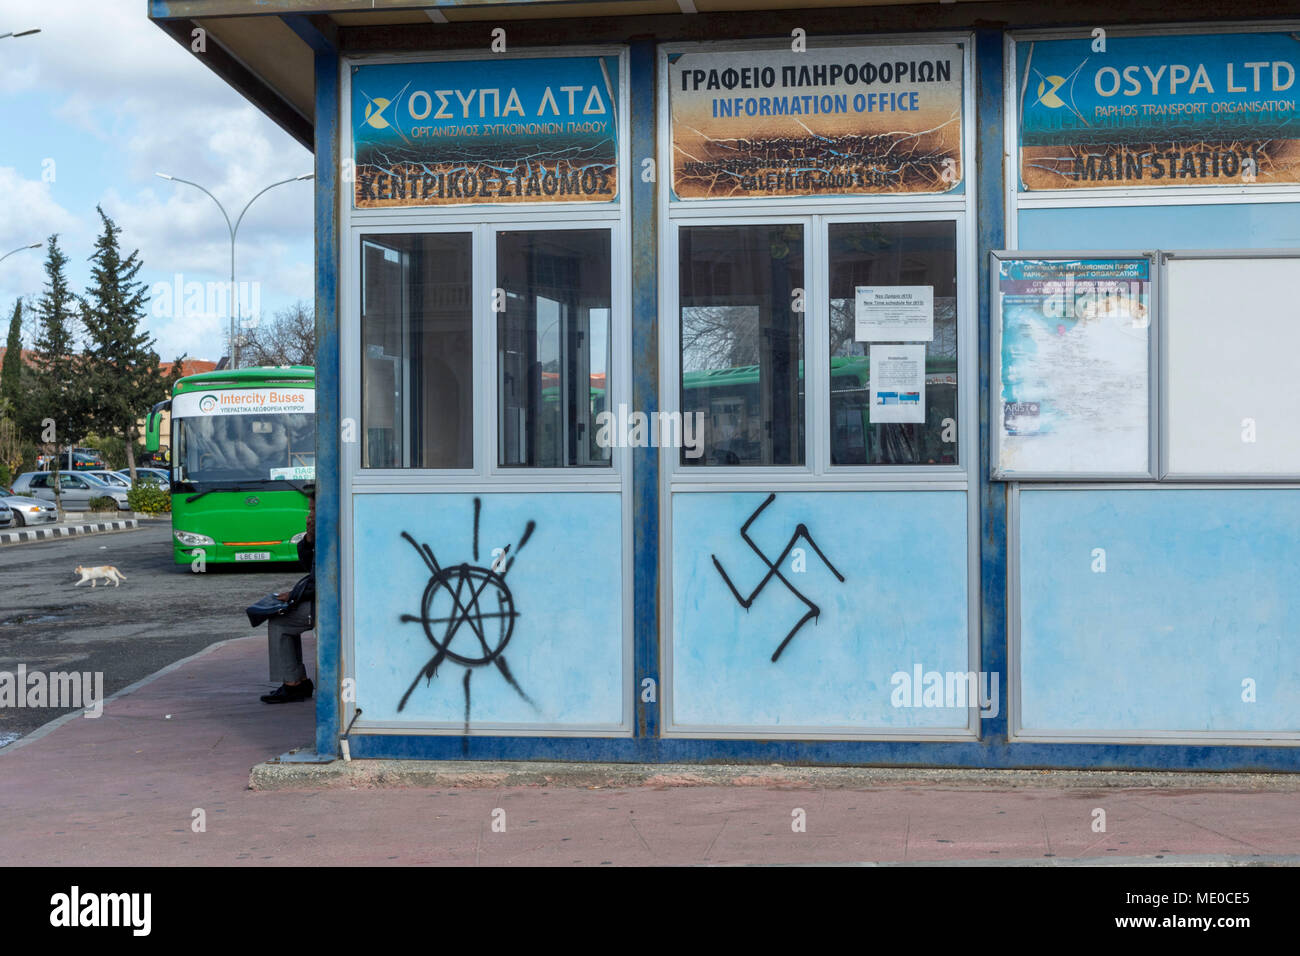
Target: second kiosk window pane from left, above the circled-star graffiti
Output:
[{"x": 553, "y": 347}]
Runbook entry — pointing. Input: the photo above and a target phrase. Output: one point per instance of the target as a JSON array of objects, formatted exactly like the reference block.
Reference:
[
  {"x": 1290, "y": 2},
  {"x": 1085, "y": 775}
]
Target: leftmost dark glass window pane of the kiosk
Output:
[{"x": 418, "y": 397}]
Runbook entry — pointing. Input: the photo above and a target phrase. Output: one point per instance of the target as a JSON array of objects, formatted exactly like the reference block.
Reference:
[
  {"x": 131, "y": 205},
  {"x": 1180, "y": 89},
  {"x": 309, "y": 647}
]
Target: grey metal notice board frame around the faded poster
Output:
[{"x": 1154, "y": 367}]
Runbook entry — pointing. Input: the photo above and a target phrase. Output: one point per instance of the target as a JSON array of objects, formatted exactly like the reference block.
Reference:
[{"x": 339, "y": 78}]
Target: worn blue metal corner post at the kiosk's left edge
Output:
[{"x": 330, "y": 464}]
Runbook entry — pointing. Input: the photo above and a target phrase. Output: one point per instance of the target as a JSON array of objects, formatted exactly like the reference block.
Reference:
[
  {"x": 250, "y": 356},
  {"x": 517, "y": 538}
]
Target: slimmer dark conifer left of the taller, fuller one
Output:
[{"x": 59, "y": 396}]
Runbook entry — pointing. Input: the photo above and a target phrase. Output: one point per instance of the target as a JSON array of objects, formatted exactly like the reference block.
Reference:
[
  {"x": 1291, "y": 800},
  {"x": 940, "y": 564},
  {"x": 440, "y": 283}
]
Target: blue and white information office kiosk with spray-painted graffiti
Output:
[{"x": 890, "y": 384}]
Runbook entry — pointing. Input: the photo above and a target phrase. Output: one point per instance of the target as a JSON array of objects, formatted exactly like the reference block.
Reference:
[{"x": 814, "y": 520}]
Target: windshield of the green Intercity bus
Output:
[{"x": 227, "y": 449}]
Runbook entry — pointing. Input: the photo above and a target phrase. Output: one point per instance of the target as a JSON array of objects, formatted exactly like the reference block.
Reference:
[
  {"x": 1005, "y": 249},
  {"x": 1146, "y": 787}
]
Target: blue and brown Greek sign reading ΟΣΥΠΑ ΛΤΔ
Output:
[{"x": 475, "y": 132}]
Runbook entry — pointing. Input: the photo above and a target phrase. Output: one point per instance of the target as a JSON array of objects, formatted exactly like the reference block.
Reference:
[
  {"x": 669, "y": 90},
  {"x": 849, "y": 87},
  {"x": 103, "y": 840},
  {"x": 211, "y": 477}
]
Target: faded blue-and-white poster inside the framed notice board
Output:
[{"x": 1074, "y": 391}]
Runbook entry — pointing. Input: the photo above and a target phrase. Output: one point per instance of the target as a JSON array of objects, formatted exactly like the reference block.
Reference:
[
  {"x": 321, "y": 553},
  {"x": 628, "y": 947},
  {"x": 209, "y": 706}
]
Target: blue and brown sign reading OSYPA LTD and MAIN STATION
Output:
[{"x": 1160, "y": 111}]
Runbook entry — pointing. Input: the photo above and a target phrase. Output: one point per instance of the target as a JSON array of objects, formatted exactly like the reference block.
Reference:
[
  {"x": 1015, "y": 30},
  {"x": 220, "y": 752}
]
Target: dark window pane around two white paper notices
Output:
[{"x": 892, "y": 254}]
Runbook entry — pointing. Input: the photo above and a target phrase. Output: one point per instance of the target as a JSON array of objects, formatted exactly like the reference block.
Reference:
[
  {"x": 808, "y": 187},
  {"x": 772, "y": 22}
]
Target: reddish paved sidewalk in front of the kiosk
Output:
[{"x": 123, "y": 790}]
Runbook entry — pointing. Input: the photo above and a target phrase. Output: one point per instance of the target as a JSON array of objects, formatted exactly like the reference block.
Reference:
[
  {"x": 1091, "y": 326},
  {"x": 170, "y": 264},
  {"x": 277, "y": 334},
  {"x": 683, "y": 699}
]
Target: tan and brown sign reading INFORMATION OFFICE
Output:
[{"x": 834, "y": 122}]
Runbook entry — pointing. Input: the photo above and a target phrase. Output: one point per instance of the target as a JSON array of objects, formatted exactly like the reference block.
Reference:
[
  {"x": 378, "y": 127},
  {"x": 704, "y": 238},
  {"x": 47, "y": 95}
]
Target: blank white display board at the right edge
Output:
[{"x": 1232, "y": 365}]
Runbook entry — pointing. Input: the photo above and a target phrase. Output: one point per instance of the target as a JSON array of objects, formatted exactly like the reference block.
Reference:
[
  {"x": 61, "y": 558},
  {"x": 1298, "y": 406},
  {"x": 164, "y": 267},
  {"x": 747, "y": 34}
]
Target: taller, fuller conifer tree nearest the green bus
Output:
[{"x": 124, "y": 373}]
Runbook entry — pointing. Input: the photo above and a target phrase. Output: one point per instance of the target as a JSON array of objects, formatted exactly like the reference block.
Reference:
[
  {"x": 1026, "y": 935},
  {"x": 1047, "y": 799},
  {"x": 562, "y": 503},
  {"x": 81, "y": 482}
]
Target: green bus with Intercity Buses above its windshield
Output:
[{"x": 244, "y": 461}]
